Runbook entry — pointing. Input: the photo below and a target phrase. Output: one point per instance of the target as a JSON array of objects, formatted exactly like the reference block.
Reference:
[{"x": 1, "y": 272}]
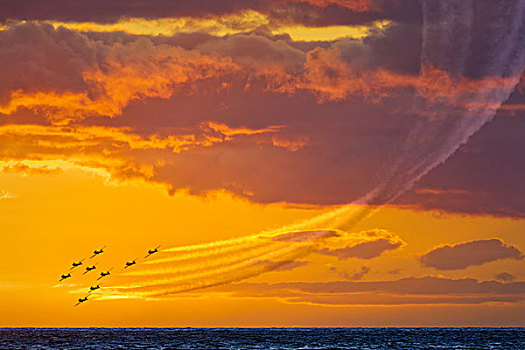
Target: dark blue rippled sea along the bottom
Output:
[{"x": 263, "y": 338}]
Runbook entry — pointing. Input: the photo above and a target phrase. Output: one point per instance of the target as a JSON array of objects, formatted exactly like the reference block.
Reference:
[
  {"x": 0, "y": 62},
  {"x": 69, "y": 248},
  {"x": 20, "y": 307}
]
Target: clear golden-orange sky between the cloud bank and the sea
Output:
[{"x": 55, "y": 219}]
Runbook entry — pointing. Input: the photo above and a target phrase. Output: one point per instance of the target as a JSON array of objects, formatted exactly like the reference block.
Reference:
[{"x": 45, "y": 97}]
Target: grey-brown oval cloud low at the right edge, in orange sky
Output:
[{"x": 462, "y": 255}]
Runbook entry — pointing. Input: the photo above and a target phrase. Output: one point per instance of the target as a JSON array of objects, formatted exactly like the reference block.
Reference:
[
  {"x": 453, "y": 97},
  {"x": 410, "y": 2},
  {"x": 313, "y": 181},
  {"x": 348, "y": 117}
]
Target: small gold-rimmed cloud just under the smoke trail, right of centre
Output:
[{"x": 378, "y": 242}]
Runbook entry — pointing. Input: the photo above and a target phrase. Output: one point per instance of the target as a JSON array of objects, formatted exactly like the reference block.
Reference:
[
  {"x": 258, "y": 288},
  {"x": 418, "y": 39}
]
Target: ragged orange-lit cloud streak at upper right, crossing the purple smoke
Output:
[{"x": 332, "y": 79}]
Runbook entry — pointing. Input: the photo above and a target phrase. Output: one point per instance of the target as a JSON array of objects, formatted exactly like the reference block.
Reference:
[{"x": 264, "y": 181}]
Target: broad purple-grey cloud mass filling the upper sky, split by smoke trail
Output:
[{"x": 326, "y": 153}]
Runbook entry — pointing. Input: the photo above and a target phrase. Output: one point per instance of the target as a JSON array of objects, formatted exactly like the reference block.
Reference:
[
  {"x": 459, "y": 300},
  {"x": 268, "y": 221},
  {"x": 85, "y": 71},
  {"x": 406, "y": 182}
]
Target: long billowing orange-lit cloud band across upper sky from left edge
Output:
[{"x": 97, "y": 79}]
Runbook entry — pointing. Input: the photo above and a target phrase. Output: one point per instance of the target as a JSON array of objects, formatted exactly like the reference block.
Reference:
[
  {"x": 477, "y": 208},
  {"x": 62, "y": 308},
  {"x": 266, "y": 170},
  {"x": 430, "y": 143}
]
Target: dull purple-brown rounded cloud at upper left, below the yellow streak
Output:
[{"x": 41, "y": 58}]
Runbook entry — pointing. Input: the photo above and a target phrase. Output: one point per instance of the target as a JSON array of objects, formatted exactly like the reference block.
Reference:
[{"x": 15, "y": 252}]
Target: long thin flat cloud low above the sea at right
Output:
[{"x": 406, "y": 291}]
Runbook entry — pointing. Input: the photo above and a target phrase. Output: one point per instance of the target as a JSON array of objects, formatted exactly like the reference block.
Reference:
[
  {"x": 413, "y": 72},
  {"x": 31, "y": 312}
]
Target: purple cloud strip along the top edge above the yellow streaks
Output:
[{"x": 306, "y": 12}]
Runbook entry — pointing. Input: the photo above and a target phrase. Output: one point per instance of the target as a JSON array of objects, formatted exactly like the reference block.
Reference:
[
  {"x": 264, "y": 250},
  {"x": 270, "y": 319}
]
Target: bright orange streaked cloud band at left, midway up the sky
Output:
[{"x": 118, "y": 153}]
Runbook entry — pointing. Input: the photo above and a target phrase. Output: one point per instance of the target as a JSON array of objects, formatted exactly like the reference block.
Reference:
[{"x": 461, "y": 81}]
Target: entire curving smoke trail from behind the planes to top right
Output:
[{"x": 483, "y": 42}]
